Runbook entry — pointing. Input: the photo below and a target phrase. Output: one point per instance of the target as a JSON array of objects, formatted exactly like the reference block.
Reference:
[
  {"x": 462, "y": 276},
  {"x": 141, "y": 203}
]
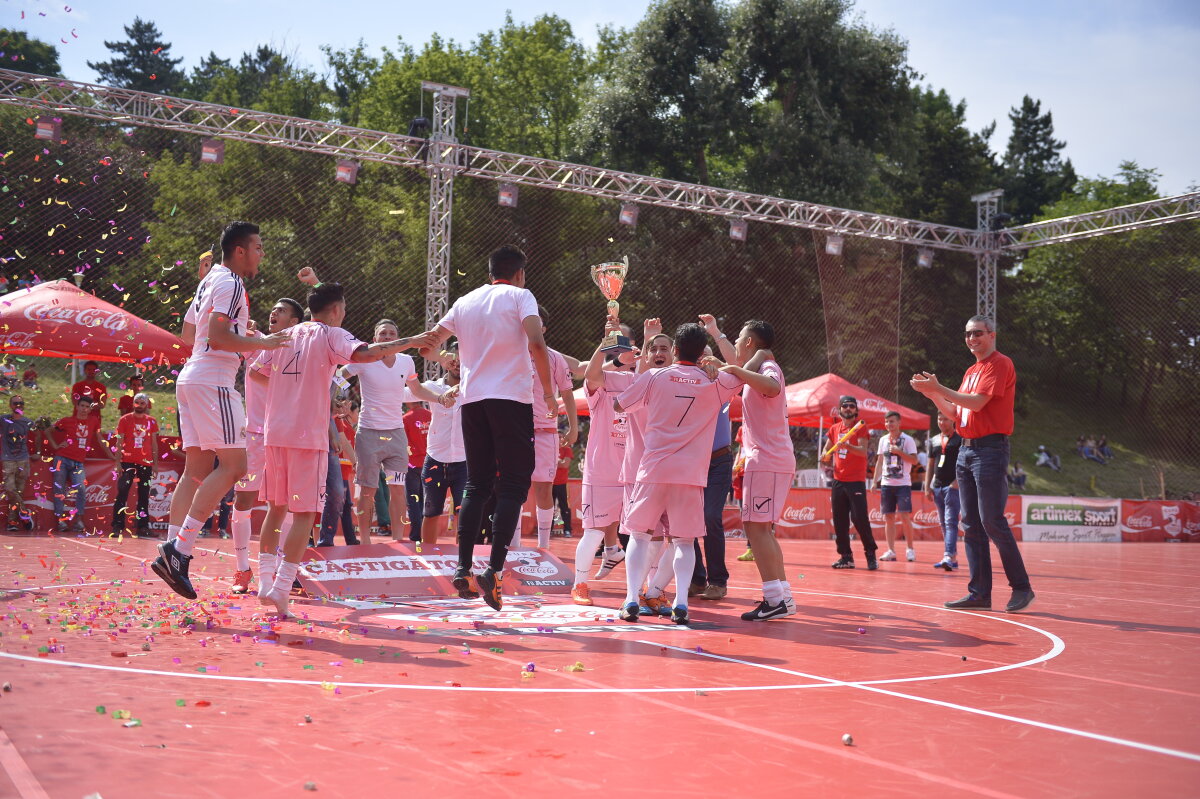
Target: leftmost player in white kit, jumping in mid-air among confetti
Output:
[{"x": 212, "y": 418}]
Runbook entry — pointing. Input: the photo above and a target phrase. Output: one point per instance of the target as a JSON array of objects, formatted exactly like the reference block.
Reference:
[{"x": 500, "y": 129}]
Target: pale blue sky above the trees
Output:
[{"x": 1121, "y": 79}]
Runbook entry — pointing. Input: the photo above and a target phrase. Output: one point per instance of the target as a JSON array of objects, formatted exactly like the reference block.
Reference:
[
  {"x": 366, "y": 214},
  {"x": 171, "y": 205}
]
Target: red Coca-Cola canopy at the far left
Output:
[{"x": 62, "y": 321}]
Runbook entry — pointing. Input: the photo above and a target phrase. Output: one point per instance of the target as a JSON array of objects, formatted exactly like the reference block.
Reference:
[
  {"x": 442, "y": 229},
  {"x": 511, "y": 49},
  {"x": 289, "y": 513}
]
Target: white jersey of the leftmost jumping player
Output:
[{"x": 220, "y": 292}]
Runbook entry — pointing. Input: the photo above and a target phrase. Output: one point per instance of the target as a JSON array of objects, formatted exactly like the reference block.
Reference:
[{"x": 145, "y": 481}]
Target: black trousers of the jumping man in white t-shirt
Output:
[{"x": 499, "y": 436}]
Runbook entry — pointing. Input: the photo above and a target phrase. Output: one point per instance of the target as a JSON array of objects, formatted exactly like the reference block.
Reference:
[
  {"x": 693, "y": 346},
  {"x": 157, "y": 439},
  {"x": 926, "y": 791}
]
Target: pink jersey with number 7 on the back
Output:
[{"x": 680, "y": 406}]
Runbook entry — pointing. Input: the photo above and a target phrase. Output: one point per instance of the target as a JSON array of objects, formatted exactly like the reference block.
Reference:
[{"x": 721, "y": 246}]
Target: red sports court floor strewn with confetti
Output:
[{"x": 1093, "y": 693}]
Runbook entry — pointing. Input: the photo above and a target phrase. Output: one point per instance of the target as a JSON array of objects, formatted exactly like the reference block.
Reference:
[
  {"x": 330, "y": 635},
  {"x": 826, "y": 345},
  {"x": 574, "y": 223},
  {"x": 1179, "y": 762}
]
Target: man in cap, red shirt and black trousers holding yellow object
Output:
[{"x": 849, "y": 491}]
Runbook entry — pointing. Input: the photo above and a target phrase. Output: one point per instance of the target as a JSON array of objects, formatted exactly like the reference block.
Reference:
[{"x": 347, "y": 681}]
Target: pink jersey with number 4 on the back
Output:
[{"x": 298, "y": 397}]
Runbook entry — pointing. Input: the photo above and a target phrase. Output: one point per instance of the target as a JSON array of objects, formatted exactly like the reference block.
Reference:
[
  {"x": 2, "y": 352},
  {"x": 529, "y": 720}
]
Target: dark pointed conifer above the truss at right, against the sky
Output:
[{"x": 1035, "y": 173}]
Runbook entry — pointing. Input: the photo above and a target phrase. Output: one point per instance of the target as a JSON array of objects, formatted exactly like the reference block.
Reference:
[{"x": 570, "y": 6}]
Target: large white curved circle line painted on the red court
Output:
[{"x": 1057, "y": 648}]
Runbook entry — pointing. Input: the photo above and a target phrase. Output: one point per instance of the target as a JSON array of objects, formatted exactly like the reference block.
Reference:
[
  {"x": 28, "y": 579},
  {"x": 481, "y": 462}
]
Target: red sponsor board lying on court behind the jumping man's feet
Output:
[{"x": 401, "y": 569}]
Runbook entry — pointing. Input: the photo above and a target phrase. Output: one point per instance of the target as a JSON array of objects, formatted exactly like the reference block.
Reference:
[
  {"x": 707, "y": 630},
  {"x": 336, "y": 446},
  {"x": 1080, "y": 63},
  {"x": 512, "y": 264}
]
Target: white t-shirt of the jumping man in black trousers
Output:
[{"x": 494, "y": 351}]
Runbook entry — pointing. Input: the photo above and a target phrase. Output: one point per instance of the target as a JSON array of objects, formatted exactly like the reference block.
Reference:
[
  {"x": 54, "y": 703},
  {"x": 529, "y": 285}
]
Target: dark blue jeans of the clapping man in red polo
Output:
[{"x": 983, "y": 491}]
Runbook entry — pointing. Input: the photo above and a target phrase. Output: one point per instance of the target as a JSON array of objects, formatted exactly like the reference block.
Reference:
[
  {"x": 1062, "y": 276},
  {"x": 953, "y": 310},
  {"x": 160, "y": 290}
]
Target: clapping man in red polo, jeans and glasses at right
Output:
[{"x": 983, "y": 413}]
